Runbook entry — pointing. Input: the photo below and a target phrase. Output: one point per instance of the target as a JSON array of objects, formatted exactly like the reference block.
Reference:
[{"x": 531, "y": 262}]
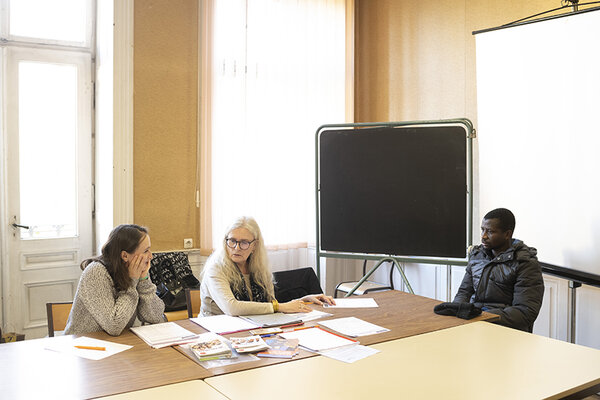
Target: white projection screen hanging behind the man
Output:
[{"x": 538, "y": 99}]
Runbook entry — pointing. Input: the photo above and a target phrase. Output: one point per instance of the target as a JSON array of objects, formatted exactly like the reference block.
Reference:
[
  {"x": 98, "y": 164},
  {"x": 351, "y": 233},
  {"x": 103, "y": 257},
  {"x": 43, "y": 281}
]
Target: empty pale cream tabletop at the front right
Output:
[{"x": 472, "y": 361}]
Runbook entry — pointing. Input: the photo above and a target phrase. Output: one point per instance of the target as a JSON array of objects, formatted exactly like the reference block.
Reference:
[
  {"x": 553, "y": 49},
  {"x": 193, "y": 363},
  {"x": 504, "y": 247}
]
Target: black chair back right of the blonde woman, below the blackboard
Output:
[{"x": 295, "y": 283}]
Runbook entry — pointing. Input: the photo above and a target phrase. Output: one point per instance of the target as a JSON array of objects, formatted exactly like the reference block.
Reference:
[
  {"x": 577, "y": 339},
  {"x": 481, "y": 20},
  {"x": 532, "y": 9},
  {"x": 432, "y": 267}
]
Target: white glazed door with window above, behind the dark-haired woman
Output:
[{"x": 46, "y": 154}]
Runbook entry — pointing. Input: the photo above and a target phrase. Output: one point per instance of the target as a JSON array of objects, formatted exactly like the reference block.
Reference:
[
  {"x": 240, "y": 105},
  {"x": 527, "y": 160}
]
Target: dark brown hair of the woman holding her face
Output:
[{"x": 123, "y": 237}]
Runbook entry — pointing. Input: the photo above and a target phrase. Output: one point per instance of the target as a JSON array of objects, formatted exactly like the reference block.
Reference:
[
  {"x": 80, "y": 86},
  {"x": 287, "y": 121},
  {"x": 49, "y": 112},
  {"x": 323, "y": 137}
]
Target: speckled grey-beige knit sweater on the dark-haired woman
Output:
[{"x": 99, "y": 307}]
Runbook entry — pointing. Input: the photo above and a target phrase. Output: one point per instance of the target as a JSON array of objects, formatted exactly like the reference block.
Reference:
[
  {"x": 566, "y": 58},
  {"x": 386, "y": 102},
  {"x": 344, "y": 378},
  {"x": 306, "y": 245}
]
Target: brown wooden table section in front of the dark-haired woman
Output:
[{"x": 29, "y": 371}]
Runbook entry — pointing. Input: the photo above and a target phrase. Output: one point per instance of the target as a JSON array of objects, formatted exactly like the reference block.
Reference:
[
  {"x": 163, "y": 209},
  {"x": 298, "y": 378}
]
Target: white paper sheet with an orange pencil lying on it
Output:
[{"x": 66, "y": 345}]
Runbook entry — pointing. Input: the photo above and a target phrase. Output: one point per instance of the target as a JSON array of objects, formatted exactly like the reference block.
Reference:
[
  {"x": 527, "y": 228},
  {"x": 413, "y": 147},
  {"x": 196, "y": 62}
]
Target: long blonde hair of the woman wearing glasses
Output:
[{"x": 258, "y": 264}]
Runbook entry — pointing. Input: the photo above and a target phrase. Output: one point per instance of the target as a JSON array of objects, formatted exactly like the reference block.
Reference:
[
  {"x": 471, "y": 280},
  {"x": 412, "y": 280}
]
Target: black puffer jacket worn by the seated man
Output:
[{"x": 510, "y": 284}]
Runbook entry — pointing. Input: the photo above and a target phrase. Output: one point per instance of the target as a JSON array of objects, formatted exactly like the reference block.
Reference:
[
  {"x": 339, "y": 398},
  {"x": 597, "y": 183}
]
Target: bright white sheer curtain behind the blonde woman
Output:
[{"x": 277, "y": 72}]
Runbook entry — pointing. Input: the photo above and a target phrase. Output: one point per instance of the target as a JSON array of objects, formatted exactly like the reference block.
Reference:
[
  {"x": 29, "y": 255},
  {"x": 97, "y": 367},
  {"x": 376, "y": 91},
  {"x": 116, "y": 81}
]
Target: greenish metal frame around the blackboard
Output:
[{"x": 469, "y": 131}]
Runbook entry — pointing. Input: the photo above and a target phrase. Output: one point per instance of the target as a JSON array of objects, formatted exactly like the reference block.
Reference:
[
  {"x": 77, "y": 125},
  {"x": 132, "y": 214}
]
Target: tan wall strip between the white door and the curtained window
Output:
[{"x": 166, "y": 120}]
